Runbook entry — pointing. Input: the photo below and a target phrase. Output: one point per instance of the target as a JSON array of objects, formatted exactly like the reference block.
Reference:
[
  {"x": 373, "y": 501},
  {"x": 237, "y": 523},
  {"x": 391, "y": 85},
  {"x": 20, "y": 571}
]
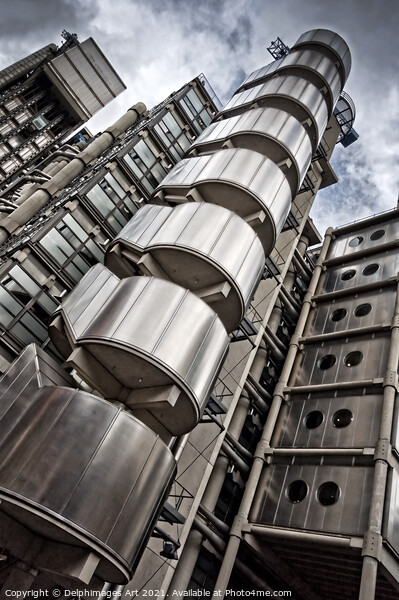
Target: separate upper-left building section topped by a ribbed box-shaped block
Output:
[{"x": 46, "y": 96}]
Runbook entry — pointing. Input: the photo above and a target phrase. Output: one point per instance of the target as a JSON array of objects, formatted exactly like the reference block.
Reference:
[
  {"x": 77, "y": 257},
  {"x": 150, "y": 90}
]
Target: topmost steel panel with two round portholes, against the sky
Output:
[{"x": 365, "y": 239}]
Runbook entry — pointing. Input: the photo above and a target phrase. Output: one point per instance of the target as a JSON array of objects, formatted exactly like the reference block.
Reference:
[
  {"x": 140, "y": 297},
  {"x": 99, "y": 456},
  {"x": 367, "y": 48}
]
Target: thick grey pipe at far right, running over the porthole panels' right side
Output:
[{"x": 370, "y": 560}]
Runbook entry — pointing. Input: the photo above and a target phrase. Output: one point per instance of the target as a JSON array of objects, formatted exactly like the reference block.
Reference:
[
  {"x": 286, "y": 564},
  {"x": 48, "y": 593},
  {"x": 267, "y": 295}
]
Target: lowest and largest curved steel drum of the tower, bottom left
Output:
[{"x": 79, "y": 472}]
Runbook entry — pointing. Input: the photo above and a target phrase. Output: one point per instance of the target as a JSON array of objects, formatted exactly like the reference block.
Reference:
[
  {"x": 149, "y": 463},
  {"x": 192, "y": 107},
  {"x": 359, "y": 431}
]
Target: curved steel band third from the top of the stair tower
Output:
[{"x": 291, "y": 93}]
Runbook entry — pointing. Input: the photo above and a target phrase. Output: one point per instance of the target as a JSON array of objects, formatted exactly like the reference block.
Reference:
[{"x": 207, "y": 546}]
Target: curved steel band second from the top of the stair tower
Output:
[{"x": 311, "y": 65}]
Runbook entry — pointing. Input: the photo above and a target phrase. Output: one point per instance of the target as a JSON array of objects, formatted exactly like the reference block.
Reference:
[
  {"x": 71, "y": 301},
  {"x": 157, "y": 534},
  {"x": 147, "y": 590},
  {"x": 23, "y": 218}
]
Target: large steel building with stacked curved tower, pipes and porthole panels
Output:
[{"x": 207, "y": 393}]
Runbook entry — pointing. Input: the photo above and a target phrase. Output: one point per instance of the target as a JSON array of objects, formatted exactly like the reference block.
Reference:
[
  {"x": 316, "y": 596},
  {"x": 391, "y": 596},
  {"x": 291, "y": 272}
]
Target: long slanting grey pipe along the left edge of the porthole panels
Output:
[{"x": 257, "y": 465}]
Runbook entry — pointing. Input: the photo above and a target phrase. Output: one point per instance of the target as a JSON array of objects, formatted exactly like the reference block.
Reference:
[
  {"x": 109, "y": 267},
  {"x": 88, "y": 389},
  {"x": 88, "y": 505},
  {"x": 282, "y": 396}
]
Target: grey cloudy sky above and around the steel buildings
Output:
[{"x": 158, "y": 45}]
